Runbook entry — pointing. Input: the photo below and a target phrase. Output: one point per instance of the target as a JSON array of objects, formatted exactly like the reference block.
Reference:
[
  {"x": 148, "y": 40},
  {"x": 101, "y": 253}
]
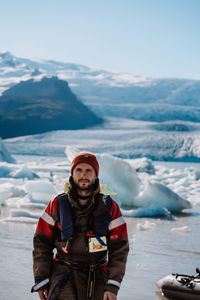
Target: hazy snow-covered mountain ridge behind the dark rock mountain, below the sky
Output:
[{"x": 111, "y": 93}]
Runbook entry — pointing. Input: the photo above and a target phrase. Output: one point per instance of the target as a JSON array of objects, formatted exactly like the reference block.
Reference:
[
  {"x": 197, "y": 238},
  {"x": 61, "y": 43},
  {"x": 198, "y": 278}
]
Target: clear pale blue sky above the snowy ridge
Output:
[{"x": 152, "y": 38}]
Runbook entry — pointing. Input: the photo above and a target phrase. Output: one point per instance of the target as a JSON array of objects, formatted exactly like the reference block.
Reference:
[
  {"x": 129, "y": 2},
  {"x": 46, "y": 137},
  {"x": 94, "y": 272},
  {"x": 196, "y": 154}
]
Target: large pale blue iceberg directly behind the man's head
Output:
[{"x": 136, "y": 197}]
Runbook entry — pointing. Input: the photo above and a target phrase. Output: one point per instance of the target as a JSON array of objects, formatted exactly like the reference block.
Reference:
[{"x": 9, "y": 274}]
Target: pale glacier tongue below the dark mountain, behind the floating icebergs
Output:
[{"x": 123, "y": 138}]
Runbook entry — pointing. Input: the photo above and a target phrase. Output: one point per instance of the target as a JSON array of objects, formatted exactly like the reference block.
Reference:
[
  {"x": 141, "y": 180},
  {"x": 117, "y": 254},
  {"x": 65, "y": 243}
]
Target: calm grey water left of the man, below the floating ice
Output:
[{"x": 16, "y": 261}]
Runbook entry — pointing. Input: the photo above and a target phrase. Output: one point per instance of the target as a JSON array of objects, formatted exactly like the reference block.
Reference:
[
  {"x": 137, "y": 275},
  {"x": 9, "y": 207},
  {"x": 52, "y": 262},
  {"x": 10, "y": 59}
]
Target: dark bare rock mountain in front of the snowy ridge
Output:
[{"x": 32, "y": 107}]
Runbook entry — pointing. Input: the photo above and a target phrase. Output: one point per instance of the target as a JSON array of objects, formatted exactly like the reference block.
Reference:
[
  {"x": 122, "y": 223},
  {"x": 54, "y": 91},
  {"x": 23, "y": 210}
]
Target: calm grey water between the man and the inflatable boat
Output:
[{"x": 157, "y": 252}]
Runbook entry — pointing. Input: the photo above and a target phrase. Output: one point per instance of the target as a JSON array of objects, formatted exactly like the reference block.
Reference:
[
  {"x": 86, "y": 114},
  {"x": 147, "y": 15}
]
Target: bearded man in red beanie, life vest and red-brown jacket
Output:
[{"x": 86, "y": 228}]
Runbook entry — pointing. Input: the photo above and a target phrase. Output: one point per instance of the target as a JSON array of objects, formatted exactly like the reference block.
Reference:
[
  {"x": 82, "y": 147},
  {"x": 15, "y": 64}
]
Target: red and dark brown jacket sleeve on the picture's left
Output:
[{"x": 43, "y": 246}]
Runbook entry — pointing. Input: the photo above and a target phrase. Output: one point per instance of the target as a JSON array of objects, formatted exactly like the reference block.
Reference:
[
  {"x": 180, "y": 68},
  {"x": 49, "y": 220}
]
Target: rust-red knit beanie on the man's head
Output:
[{"x": 85, "y": 157}]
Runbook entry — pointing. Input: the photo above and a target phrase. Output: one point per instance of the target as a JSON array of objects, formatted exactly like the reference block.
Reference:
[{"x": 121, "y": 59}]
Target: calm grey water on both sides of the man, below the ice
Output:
[{"x": 154, "y": 253}]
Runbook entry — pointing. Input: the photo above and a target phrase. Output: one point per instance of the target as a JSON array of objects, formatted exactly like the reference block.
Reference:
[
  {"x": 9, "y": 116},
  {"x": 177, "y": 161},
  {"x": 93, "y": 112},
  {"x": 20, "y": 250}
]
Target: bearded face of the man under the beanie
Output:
[{"x": 84, "y": 176}]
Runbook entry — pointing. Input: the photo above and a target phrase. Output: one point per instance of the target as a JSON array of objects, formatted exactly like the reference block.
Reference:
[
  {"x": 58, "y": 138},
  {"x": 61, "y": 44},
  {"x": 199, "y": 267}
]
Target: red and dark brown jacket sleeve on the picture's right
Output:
[{"x": 118, "y": 248}]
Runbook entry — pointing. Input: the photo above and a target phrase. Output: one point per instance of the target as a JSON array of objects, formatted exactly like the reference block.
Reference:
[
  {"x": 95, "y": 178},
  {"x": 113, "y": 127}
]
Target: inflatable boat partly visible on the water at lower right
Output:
[{"x": 180, "y": 287}]
